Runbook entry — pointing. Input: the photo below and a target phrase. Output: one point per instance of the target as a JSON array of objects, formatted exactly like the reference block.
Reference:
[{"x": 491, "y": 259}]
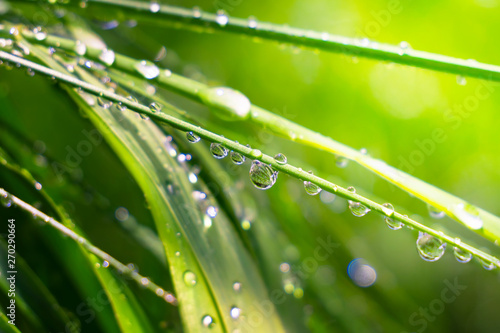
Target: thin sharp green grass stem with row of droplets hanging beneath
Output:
[{"x": 248, "y": 152}]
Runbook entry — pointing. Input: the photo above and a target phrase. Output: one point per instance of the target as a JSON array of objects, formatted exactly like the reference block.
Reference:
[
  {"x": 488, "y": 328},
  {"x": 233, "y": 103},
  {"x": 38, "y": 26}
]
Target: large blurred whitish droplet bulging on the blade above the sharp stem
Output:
[{"x": 227, "y": 103}]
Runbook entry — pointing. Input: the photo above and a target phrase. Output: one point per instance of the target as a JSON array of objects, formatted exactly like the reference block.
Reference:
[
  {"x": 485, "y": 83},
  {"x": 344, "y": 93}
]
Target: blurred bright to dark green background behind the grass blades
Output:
[{"x": 383, "y": 107}]
